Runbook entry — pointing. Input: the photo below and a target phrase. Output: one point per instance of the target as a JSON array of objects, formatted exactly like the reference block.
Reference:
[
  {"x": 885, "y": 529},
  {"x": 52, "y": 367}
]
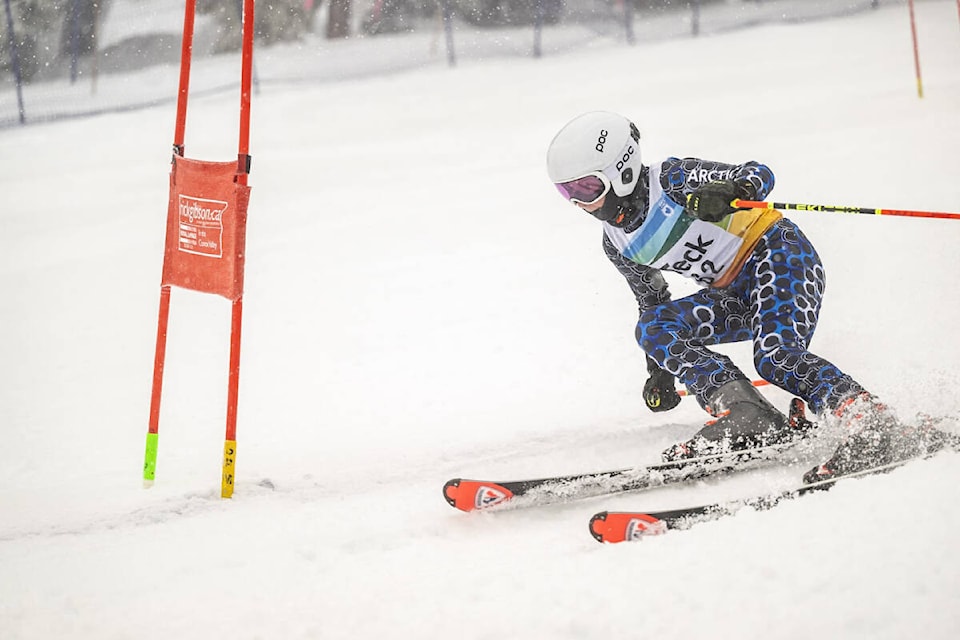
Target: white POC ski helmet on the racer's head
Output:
[{"x": 597, "y": 141}]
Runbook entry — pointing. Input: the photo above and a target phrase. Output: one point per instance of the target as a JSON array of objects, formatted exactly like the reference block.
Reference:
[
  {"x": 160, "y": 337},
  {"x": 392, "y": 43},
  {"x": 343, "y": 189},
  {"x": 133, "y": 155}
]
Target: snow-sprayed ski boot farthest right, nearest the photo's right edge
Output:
[{"x": 876, "y": 438}]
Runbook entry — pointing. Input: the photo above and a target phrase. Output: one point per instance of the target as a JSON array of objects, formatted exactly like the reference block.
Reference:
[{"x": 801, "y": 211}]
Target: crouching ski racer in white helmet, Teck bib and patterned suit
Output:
[{"x": 761, "y": 280}]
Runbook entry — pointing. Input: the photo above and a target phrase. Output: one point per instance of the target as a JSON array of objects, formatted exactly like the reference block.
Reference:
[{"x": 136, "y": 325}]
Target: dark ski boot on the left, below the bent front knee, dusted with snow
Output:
[{"x": 744, "y": 419}]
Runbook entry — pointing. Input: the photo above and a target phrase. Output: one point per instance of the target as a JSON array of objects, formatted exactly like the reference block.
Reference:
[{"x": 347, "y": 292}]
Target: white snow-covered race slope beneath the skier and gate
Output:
[{"x": 421, "y": 305}]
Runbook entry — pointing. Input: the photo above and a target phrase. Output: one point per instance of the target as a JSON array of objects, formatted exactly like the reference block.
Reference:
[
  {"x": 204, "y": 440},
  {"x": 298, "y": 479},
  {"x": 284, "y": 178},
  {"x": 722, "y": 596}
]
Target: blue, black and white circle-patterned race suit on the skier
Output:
[{"x": 773, "y": 300}]
